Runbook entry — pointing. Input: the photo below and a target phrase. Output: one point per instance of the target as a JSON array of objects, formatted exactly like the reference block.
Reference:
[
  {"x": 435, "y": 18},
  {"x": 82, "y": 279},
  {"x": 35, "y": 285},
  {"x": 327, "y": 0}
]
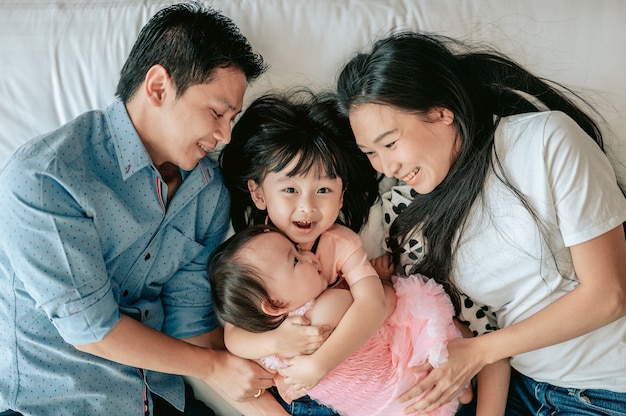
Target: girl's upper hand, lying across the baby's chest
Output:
[{"x": 295, "y": 336}]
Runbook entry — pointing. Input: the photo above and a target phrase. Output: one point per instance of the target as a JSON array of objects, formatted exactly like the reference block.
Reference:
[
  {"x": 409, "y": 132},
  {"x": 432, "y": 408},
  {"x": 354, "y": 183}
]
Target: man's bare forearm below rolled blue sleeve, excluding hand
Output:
[{"x": 134, "y": 344}]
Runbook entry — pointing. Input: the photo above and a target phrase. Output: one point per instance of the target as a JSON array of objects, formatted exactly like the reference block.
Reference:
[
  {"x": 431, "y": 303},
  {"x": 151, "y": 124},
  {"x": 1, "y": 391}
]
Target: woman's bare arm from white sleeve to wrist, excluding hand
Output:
[{"x": 599, "y": 299}]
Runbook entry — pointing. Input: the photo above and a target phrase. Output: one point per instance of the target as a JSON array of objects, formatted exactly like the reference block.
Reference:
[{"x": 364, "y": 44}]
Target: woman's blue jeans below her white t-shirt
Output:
[{"x": 530, "y": 397}]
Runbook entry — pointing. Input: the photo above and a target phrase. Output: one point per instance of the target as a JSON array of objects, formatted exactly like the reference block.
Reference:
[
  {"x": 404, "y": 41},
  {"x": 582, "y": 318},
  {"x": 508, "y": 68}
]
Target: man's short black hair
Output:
[{"x": 190, "y": 41}]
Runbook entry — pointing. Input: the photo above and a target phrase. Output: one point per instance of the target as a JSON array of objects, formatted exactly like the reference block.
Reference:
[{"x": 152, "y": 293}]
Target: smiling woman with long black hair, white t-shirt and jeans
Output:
[{"x": 517, "y": 207}]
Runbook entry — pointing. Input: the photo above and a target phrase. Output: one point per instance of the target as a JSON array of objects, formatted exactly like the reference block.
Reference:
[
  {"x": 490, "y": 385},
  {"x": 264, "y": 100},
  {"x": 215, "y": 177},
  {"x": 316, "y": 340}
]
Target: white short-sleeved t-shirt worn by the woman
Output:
[{"x": 504, "y": 262}]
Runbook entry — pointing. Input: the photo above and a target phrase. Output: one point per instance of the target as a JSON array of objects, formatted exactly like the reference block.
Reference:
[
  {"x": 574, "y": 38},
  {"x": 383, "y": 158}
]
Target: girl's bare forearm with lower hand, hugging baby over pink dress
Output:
[{"x": 366, "y": 314}]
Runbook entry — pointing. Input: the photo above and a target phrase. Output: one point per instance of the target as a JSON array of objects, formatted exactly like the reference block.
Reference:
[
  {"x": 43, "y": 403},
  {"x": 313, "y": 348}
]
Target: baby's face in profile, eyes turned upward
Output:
[{"x": 291, "y": 276}]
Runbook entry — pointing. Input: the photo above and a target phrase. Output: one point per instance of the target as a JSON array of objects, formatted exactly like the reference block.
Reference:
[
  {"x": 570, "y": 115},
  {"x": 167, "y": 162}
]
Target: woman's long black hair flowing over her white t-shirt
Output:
[{"x": 417, "y": 72}]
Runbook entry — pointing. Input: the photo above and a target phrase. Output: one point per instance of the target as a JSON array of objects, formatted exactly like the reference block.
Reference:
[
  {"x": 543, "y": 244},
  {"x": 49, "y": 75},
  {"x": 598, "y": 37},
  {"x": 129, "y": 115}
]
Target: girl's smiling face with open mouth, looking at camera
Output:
[{"x": 301, "y": 206}]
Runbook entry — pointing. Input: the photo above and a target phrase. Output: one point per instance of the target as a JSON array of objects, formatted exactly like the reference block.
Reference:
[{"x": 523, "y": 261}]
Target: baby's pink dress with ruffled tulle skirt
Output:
[{"x": 371, "y": 379}]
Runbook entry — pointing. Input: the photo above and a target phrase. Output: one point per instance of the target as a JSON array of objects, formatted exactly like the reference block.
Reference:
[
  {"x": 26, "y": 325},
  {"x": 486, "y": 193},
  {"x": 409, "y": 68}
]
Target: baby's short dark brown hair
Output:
[{"x": 237, "y": 287}]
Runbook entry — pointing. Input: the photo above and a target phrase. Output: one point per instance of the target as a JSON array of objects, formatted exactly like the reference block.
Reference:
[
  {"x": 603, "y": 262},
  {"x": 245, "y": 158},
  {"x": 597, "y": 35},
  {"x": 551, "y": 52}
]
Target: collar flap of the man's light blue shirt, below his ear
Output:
[{"x": 132, "y": 155}]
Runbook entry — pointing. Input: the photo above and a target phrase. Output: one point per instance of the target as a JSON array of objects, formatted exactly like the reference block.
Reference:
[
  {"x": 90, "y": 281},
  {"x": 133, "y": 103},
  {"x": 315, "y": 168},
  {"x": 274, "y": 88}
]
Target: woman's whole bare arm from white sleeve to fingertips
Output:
[{"x": 600, "y": 299}]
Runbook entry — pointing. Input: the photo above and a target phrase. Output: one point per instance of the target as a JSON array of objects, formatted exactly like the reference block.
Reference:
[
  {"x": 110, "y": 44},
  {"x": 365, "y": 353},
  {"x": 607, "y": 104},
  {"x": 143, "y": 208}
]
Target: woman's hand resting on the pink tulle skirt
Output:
[{"x": 447, "y": 381}]
